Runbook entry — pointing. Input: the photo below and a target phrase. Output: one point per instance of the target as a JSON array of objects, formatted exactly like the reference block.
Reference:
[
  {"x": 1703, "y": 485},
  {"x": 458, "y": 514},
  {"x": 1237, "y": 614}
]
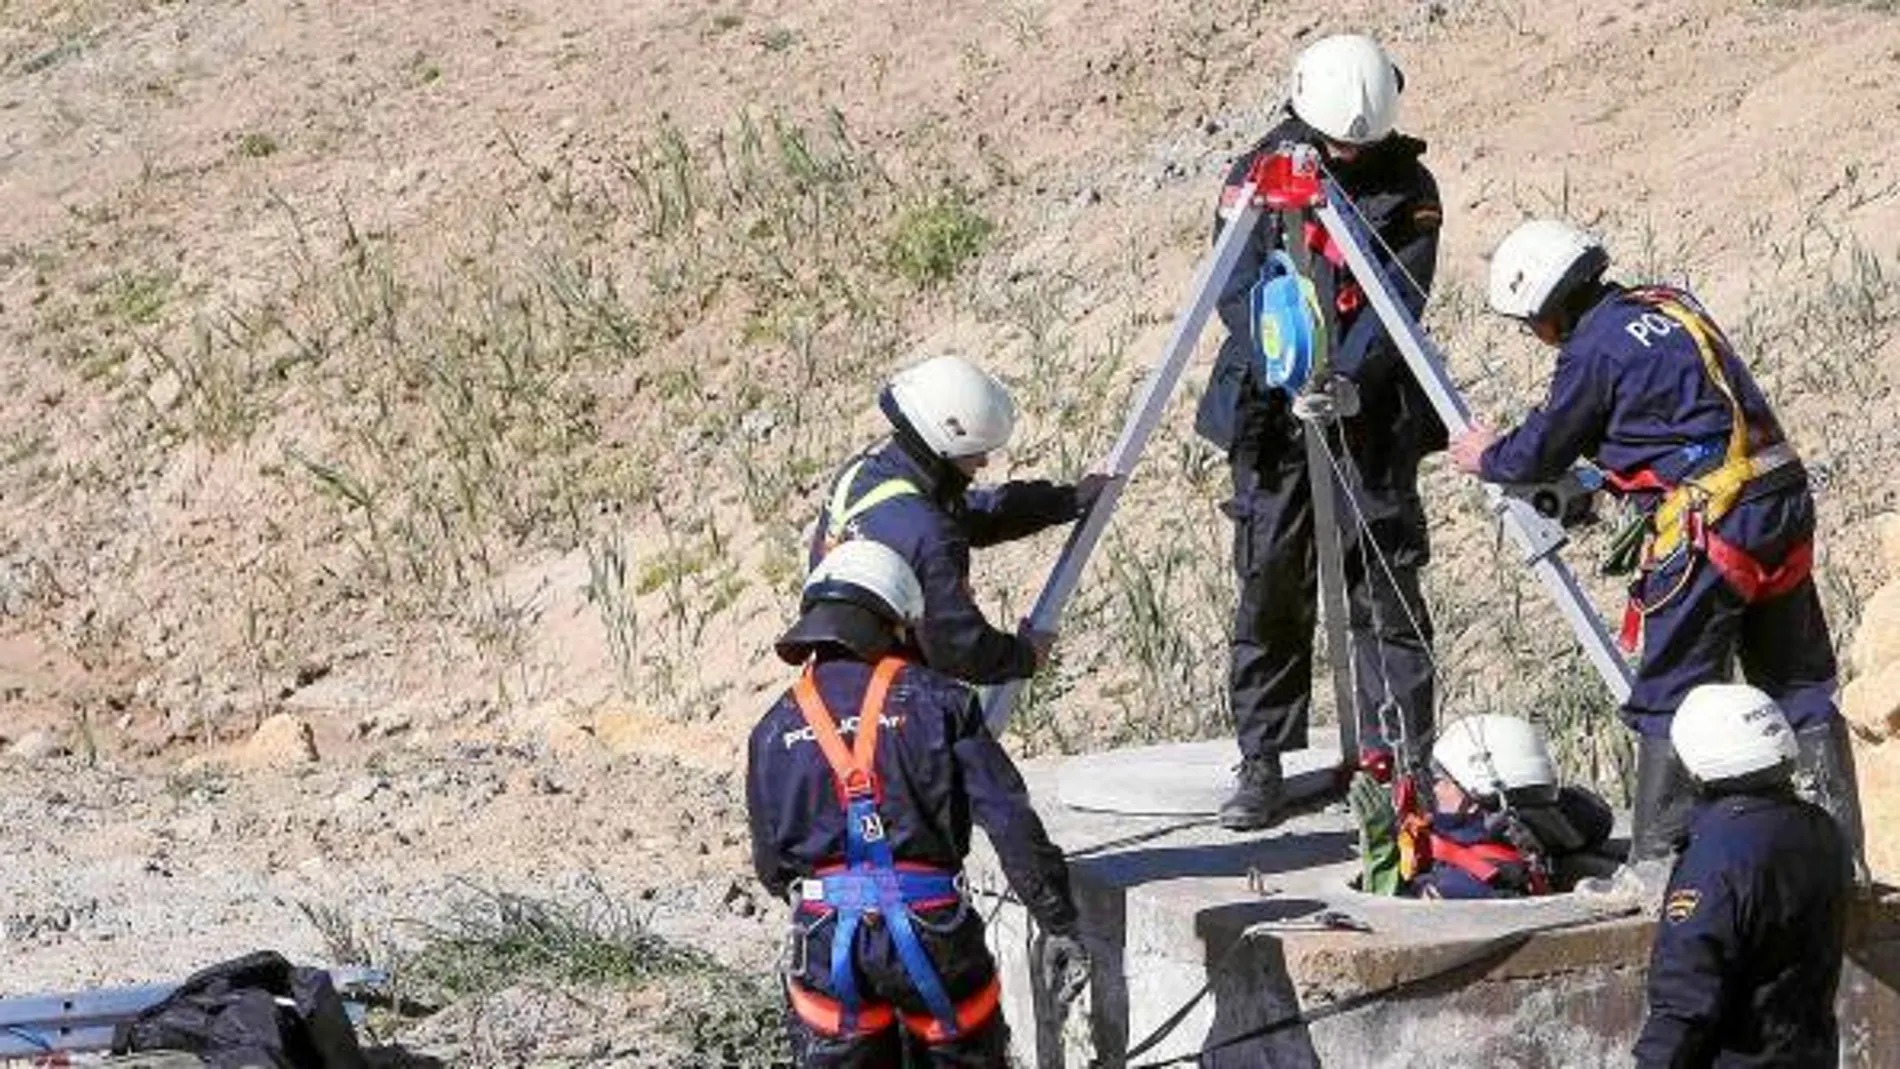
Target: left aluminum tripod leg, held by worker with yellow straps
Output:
[{"x": 1135, "y": 434}]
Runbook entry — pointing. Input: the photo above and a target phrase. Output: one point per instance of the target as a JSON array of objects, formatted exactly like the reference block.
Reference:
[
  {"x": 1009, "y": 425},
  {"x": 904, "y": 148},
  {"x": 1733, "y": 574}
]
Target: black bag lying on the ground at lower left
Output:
[{"x": 246, "y": 1013}]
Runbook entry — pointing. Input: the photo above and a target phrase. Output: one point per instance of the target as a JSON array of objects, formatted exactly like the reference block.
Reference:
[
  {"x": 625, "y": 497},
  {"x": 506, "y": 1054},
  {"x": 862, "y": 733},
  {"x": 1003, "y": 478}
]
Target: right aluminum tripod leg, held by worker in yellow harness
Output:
[{"x": 1536, "y": 536}]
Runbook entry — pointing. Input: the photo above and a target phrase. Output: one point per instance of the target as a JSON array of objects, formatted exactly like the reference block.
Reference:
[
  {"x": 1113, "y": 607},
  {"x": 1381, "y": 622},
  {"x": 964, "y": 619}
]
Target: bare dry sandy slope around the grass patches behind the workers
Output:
[{"x": 1698, "y": 136}]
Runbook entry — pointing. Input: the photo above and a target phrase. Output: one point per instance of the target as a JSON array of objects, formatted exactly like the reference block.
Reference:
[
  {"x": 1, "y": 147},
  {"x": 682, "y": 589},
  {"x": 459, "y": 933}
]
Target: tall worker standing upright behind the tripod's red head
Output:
[{"x": 1342, "y": 102}]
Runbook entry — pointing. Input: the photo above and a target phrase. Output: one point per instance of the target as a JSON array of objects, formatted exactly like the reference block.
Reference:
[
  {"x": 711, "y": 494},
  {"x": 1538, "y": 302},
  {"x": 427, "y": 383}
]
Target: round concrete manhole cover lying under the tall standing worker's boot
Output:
[{"x": 1179, "y": 779}]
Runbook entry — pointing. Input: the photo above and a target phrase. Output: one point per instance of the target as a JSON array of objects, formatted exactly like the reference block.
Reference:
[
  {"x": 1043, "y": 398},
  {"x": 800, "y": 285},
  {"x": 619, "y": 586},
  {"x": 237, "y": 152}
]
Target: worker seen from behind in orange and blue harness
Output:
[{"x": 862, "y": 787}]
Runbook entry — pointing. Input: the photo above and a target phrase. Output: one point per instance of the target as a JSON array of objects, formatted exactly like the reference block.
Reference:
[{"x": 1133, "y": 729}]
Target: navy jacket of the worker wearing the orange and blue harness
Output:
[{"x": 941, "y": 770}]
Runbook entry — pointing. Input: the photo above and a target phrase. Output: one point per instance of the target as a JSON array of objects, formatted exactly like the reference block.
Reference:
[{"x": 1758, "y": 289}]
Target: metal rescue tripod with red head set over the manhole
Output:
[{"x": 1291, "y": 181}]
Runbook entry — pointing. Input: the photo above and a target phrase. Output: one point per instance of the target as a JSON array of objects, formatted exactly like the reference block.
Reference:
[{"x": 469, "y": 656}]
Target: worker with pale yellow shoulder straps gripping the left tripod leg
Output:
[{"x": 913, "y": 495}]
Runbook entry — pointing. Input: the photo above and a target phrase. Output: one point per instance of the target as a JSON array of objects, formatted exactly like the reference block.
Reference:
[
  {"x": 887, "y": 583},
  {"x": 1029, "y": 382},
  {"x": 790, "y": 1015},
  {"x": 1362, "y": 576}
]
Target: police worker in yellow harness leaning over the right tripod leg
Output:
[{"x": 1650, "y": 390}]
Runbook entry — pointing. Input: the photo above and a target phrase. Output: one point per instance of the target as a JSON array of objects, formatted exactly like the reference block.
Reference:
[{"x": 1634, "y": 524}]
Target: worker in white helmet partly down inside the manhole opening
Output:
[{"x": 1498, "y": 823}]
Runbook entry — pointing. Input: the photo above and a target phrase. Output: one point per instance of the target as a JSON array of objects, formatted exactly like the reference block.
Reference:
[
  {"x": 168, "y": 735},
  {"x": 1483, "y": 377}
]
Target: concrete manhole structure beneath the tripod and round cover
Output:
[{"x": 1198, "y": 958}]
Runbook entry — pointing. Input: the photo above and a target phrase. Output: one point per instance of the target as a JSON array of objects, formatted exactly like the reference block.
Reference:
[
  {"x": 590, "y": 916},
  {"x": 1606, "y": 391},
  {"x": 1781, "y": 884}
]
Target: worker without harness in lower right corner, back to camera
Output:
[{"x": 1747, "y": 954}]
